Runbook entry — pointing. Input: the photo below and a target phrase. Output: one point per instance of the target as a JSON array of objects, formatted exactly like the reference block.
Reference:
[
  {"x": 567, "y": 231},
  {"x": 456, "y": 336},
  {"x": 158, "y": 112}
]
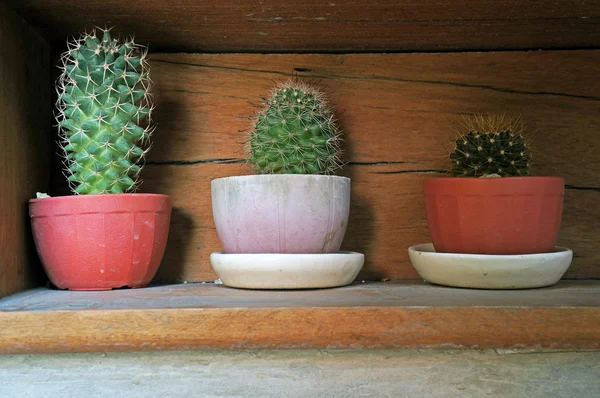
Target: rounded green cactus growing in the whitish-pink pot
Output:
[{"x": 295, "y": 132}]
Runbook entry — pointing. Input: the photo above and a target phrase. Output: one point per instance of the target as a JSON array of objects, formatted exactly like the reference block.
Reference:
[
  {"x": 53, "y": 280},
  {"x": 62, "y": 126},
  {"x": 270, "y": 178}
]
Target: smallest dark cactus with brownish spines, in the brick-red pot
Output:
[{"x": 491, "y": 146}]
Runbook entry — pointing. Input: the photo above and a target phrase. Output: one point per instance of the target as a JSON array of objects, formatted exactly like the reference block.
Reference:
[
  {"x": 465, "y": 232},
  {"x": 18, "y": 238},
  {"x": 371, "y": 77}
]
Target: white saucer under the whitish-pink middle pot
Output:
[{"x": 287, "y": 271}]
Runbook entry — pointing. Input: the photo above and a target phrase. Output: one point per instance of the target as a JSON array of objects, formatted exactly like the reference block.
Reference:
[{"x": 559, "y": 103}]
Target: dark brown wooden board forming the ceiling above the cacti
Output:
[{"x": 327, "y": 26}]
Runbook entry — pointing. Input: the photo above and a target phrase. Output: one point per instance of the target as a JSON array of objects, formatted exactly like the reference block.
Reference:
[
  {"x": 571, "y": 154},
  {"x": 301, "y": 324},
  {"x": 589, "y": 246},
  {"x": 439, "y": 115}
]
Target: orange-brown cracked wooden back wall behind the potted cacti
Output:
[{"x": 398, "y": 111}]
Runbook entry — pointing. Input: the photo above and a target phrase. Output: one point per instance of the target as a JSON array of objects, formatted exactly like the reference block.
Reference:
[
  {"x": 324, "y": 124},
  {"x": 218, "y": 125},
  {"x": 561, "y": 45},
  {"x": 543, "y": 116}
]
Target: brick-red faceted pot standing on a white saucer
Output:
[{"x": 513, "y": 215}]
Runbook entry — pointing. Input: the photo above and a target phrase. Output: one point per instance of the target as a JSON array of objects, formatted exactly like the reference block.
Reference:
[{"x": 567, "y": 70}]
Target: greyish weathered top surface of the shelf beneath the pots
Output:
[{"x": 369, "y": 294}]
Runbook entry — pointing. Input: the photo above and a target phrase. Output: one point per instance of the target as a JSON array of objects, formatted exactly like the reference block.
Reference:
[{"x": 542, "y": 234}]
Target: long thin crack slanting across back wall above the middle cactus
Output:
[{"x": 395, "y": 79}]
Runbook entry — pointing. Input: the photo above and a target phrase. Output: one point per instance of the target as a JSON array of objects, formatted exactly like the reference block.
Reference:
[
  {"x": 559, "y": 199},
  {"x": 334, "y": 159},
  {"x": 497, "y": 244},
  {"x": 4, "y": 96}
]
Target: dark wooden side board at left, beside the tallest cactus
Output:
[{"x": 25, "y": 131}]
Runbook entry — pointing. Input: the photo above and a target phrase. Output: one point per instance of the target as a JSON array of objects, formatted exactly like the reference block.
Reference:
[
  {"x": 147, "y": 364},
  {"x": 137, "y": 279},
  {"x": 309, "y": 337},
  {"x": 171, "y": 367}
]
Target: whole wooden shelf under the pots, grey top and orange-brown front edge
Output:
[{"x": 370, "y": 315}]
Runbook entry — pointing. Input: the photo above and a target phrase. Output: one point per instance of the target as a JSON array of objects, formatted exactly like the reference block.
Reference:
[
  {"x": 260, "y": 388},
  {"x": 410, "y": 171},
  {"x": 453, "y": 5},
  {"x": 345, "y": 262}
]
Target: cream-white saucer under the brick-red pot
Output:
[{"x": 490, "y": 271}]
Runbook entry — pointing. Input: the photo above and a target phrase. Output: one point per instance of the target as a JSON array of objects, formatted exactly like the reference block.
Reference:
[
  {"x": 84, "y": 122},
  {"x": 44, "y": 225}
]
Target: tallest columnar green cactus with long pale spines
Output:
[{"x": 103, "y": 113}]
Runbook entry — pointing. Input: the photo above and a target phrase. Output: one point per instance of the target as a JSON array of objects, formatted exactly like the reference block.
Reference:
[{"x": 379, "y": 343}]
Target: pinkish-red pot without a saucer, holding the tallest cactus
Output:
[{"x": 101, "y": 242}]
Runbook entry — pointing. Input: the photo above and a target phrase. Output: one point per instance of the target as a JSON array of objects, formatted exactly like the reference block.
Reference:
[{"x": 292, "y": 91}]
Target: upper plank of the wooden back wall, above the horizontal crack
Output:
[{"x": 394, "y": 107}]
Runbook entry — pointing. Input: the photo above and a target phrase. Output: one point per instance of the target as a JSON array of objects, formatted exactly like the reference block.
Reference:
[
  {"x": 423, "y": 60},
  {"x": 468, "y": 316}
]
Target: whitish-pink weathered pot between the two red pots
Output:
[{"x": 281, "y": 213}]
